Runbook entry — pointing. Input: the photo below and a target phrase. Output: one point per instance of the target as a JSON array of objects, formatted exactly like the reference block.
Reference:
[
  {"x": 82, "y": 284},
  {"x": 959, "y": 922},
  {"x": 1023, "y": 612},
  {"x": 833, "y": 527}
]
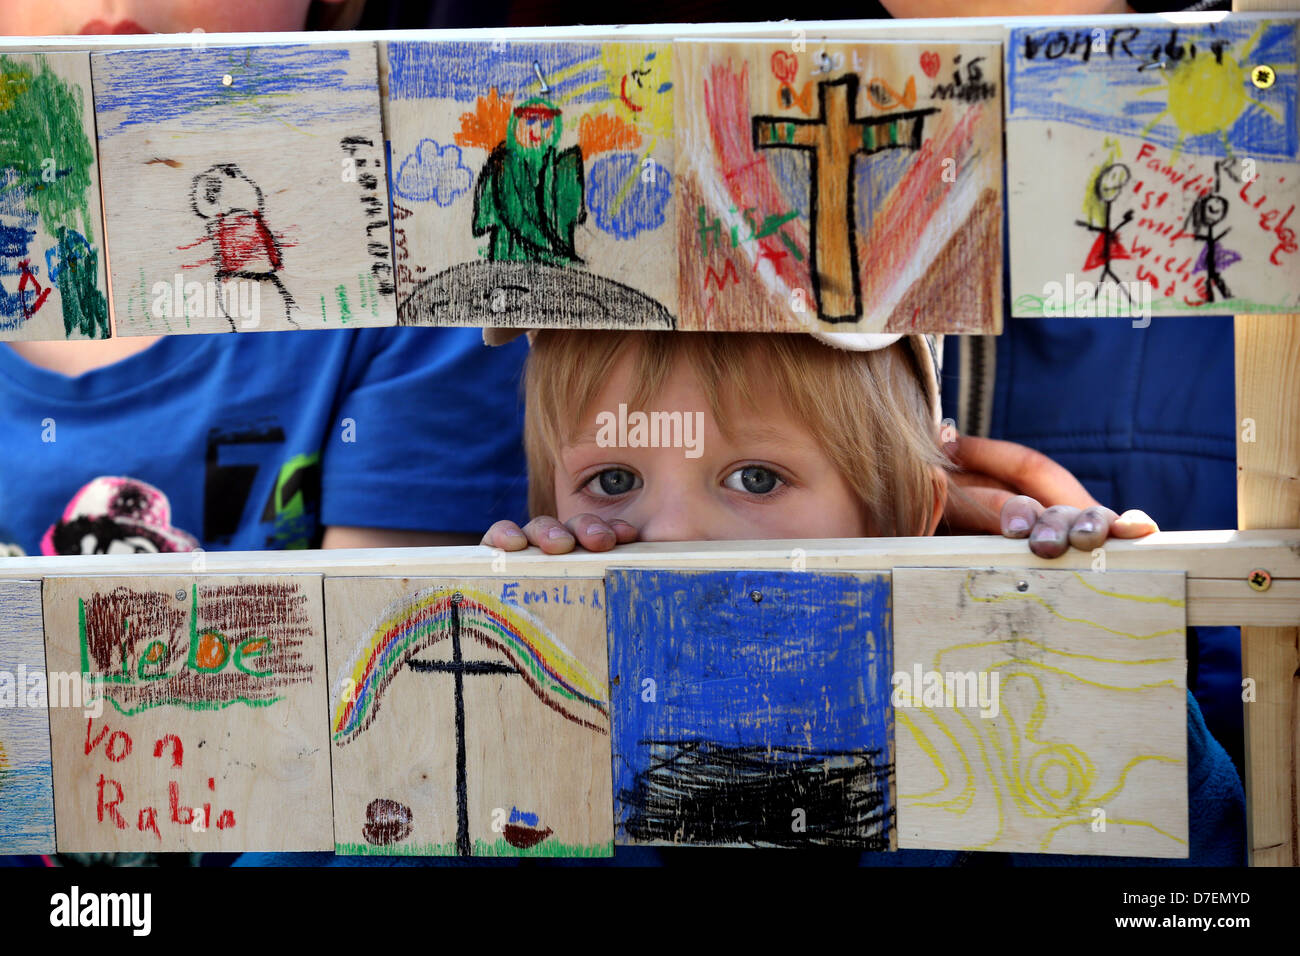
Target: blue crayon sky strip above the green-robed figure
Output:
[{"x": 463, "y": 72}]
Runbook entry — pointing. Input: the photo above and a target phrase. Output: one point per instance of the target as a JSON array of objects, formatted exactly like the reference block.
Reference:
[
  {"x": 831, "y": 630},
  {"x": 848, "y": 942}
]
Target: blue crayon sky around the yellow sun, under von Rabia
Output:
[{"x": 1103, "y": 94}]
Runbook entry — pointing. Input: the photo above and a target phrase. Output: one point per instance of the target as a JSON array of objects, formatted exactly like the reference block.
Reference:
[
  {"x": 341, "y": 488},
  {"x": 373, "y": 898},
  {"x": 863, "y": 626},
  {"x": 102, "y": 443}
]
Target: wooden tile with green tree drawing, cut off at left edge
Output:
[{"x": 53, "y": 280}]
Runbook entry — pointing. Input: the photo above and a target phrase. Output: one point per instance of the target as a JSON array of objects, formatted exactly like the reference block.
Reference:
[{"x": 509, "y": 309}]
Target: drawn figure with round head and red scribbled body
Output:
[{"x": 232, "y": 206}]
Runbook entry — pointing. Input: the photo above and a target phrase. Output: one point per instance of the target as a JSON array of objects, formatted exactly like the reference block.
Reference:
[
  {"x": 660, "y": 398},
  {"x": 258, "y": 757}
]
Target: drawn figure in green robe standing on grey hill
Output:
[{"x": 530, "y": 196}]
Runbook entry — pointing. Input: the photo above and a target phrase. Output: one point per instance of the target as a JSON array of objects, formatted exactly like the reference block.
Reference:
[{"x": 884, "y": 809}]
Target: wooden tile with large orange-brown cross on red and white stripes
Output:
[{"x": 851, "y": 188}]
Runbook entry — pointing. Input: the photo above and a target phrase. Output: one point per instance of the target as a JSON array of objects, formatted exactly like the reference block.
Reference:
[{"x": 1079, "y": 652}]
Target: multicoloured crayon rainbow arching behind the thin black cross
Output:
[{"x": 418, "y": 622}]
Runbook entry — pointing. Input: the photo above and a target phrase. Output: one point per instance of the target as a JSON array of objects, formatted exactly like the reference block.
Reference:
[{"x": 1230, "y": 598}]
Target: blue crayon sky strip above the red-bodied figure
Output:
[{"x": 142, "y": 88}]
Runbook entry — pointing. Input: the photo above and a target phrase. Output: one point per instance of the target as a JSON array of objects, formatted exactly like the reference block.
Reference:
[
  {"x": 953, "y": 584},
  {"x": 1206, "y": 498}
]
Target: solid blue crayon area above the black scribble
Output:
[{"x": 808, "y": 665}]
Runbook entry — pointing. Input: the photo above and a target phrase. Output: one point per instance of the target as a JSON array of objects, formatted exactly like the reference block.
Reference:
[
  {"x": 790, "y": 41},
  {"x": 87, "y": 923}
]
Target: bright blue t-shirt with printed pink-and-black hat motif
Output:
[{"x": 261, "y": 442}]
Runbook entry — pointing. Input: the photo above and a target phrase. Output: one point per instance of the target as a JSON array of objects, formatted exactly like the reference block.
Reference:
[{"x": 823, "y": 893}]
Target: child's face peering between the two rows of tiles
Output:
[{"x": 769, "y": 481}]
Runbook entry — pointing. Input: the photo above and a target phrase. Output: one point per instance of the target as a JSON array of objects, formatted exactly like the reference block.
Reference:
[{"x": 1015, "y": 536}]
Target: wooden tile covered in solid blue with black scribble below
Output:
[{"x": 751, "y": 708}]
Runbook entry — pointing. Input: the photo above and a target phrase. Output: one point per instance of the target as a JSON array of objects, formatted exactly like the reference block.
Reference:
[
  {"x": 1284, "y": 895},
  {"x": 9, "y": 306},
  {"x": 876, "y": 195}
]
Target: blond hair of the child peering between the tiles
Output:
[{"x": 866, "y": 410}]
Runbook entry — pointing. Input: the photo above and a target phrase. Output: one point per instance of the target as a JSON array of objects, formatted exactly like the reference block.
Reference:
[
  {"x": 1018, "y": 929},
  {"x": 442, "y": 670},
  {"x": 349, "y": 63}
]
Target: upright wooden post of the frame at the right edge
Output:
[{"x": 1268, "y": 495}]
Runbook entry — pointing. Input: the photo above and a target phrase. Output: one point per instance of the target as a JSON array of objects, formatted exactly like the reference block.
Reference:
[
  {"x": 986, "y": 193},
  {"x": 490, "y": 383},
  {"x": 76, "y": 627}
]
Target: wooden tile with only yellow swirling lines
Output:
[{"x": 1046, "y": 719}]
